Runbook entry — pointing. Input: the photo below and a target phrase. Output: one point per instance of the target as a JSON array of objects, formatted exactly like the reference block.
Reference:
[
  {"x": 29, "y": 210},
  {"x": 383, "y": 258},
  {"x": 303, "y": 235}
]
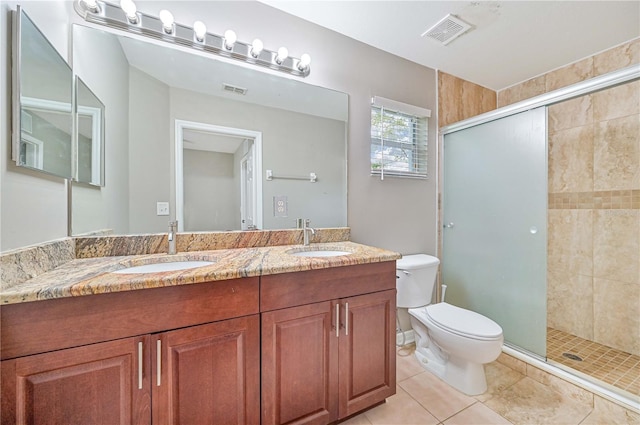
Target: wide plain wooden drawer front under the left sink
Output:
[{"x": 42, "y": 326}]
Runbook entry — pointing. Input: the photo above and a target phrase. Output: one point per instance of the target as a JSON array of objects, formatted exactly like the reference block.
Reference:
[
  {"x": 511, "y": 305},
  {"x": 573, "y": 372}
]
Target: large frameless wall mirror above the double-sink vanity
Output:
[{"x": 191, "y": 136}]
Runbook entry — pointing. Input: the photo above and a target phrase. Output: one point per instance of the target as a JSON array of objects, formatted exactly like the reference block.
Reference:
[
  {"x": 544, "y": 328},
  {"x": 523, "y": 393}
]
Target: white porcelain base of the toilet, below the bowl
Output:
[{"x": 464, "y": 376}]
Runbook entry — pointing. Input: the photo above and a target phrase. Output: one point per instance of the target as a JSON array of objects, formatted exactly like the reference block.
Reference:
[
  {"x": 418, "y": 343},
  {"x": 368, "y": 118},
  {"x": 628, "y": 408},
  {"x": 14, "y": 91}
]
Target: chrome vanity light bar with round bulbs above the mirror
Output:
[{"x": 113, "y": 15}]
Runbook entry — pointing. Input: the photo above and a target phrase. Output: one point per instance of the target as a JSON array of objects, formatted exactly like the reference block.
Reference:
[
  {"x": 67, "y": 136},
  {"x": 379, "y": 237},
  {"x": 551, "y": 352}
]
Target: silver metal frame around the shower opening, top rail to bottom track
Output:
[{"x": 603, "y": 82}]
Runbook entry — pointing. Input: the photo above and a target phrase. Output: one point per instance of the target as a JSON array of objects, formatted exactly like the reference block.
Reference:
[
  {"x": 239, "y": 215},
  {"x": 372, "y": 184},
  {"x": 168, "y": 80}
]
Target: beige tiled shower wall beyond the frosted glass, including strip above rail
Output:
[{"x": 594, "y": 202}]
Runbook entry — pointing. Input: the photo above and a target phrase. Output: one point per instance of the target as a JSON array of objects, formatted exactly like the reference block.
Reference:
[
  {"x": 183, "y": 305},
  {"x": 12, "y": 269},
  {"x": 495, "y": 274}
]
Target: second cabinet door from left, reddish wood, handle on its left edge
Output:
[{"x": 208, "y": 374}]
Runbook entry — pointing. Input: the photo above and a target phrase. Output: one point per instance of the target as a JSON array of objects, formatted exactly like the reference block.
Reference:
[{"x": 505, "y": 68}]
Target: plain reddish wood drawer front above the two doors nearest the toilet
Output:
[{"x": 292, "y": 289}]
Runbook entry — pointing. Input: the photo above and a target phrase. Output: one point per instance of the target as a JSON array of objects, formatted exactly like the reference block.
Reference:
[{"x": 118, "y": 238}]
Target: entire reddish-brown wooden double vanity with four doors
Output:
[{"x": 307, "y": 346}]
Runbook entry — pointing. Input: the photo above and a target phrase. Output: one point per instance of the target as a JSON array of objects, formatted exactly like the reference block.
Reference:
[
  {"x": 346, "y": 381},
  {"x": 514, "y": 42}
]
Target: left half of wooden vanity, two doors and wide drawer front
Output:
[{"x": 207, "y": 371}]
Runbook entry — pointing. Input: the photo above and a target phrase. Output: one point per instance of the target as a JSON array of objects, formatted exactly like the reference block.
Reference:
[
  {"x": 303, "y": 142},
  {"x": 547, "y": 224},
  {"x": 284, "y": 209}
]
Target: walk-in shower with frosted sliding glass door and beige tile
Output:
[{"x": 541, "y": 227}]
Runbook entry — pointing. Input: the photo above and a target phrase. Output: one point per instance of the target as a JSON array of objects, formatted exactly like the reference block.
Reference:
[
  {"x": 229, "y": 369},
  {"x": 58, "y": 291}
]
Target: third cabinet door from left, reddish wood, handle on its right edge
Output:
[{"x": 299, "y": 365}]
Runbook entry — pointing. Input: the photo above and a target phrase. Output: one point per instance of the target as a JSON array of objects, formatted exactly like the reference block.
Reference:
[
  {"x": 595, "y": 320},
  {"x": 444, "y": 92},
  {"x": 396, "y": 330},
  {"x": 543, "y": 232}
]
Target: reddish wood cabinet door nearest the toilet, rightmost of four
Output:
[{"x": 367, "y": 351}]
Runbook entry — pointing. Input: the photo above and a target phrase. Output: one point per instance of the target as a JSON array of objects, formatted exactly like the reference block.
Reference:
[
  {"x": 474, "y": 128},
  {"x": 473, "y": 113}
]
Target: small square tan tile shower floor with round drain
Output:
[{"x": 614, "y": 367}]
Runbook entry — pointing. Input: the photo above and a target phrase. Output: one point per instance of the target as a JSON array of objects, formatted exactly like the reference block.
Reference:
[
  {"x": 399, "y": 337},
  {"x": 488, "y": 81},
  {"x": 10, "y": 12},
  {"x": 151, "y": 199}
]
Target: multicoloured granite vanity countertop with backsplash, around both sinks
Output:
[{"x": 235, "y": 255}]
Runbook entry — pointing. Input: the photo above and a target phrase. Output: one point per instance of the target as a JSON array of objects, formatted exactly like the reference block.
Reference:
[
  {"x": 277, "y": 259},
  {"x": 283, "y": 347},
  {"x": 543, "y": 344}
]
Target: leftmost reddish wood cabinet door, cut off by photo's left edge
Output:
[{"x": 103, "y": 383}]
